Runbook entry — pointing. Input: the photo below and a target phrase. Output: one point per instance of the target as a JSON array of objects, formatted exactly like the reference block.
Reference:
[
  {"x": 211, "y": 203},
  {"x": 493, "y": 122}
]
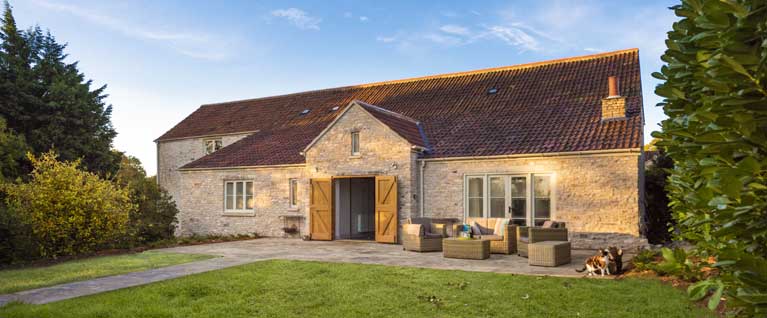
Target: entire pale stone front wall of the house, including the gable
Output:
[{"x": 598, "y": 196}]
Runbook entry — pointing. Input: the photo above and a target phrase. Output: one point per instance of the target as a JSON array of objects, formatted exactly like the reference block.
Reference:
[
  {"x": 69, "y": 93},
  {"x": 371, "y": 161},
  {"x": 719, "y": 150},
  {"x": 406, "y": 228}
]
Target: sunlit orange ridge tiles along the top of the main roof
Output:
[{"x": 444, "y": 75}]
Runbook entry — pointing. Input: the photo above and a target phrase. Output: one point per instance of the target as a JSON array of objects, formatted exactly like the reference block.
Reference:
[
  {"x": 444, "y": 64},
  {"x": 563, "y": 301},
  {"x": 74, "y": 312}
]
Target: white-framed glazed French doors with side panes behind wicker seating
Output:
[{"x": 526, "y": 199}]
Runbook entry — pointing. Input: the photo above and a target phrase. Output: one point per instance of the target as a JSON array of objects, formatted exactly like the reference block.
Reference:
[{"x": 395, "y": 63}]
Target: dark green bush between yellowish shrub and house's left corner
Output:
[{"x": 155, "y": 218}]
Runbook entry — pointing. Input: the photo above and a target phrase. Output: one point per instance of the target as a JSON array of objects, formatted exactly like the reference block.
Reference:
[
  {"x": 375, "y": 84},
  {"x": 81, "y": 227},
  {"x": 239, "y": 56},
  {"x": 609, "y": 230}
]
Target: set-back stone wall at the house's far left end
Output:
[{"x": 174, "y": 154}]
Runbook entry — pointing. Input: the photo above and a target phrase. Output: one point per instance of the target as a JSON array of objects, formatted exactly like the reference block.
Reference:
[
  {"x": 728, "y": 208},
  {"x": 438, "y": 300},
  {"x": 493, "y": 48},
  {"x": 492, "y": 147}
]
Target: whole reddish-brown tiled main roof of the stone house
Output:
[{"x": 543, "y": 107}]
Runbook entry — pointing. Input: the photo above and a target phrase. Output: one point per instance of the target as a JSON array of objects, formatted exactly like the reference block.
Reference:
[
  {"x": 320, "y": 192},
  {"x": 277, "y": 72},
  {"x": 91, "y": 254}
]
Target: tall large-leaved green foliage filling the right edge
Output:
[{"x": 715, "y": 95}]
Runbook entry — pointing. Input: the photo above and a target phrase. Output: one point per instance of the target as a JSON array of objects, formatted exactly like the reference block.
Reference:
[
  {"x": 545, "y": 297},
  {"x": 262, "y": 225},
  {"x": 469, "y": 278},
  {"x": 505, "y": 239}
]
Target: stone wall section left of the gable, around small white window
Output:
[{"x": 202, "y": 204}]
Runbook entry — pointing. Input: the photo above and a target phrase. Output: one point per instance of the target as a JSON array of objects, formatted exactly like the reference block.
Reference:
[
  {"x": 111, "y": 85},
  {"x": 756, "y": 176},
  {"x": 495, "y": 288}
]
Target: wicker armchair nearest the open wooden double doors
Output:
[{"x": 421, "y": 235}]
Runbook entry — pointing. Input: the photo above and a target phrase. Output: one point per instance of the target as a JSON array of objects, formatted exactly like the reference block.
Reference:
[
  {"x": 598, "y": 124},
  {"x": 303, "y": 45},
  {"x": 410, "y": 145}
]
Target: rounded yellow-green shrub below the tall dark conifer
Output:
[{"x": 68, "y": 211}]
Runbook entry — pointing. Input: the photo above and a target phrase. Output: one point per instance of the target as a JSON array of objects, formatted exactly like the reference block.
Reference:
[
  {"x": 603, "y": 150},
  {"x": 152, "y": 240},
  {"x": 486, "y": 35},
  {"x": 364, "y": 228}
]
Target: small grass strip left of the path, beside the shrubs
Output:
[{"x": 88, "y": 268}]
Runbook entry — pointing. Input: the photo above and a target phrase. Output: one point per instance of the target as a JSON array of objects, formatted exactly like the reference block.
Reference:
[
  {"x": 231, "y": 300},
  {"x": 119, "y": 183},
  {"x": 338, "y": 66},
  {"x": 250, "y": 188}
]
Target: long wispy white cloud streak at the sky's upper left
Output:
[{"x": 192, "y": 44}]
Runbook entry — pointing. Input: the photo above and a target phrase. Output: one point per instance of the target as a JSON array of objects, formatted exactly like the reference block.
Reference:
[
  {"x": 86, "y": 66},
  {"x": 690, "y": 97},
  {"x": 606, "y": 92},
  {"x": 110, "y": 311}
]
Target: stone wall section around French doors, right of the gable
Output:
[{"x": 597, "y": 195}]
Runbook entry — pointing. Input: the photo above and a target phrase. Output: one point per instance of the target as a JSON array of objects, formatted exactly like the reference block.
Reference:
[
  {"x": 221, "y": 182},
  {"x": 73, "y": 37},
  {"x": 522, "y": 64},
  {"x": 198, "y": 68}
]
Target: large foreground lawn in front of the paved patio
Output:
[{"x": 313, "y": 289}]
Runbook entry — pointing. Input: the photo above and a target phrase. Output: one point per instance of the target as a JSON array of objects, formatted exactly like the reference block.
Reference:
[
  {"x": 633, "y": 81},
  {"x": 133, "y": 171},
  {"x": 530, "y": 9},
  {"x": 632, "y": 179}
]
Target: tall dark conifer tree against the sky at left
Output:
[{"x": 50, "y": 103}]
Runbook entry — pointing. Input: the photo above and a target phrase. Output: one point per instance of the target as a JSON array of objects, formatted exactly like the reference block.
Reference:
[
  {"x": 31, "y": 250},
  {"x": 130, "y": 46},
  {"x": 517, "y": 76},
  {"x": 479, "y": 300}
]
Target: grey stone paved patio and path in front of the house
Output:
[{"x": 243, "y": 252}]
